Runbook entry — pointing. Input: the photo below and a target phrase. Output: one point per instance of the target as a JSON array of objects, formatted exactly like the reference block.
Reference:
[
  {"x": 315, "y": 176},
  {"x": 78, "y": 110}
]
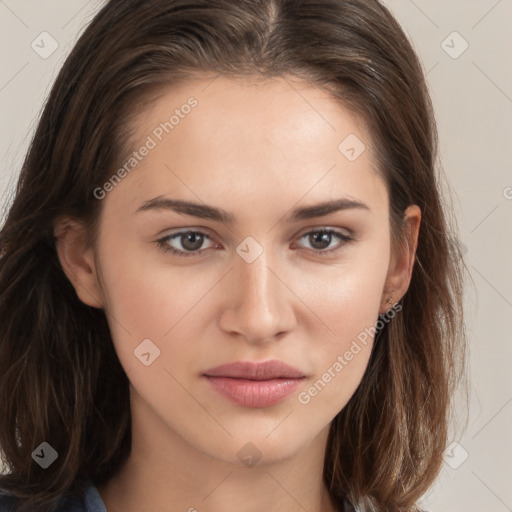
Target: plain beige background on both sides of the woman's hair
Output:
[{"x": 472, "y": 95}]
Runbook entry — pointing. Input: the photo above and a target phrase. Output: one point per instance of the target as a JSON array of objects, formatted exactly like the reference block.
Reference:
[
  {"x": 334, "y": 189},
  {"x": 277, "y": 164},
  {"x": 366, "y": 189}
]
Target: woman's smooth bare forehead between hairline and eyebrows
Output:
[{"x": 267, "y": 139}]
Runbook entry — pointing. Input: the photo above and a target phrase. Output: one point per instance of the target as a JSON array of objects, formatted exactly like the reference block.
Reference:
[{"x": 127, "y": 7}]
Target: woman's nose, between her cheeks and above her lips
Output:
[{"x": 258, "y": 302}]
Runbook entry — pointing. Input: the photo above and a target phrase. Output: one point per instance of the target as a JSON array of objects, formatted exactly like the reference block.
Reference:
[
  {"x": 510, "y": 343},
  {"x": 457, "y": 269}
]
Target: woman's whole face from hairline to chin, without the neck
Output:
[{"x": 254, "y": 273}]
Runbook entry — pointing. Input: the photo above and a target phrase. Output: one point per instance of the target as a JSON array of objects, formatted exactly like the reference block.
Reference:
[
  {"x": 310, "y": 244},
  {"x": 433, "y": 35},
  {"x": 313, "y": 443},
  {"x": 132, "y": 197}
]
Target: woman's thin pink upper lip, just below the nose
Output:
[{"x": 255, "y": 371}]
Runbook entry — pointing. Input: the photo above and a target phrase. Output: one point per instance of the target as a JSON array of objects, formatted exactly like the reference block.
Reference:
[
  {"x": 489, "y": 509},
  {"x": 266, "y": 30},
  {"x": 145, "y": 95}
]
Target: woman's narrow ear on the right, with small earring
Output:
[{"x": 401, "y": 264}]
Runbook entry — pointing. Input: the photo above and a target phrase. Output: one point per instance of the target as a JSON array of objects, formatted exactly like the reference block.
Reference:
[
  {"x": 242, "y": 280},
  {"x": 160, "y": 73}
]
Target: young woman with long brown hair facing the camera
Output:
[{"x": 227, "y": 277}]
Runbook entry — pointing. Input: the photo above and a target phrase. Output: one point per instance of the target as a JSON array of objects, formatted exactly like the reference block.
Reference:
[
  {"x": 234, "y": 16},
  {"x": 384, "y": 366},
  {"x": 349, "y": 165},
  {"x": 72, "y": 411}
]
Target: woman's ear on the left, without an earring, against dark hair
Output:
[{"x": 77, "y": 261}]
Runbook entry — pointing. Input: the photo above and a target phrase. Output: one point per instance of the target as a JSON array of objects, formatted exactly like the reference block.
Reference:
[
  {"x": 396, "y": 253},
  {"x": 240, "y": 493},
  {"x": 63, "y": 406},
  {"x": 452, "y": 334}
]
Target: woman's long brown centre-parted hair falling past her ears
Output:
[{"x": 60, "y": 377}]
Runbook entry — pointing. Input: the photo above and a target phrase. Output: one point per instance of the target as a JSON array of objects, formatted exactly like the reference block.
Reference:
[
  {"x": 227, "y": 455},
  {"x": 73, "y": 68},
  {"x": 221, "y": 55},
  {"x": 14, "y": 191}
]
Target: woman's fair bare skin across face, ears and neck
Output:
[{"x": 257, "y": 149}]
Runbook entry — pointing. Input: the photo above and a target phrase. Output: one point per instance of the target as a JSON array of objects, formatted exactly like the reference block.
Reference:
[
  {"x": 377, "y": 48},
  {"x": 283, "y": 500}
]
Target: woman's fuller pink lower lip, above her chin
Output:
[{"x": 254, "y": 393}]
